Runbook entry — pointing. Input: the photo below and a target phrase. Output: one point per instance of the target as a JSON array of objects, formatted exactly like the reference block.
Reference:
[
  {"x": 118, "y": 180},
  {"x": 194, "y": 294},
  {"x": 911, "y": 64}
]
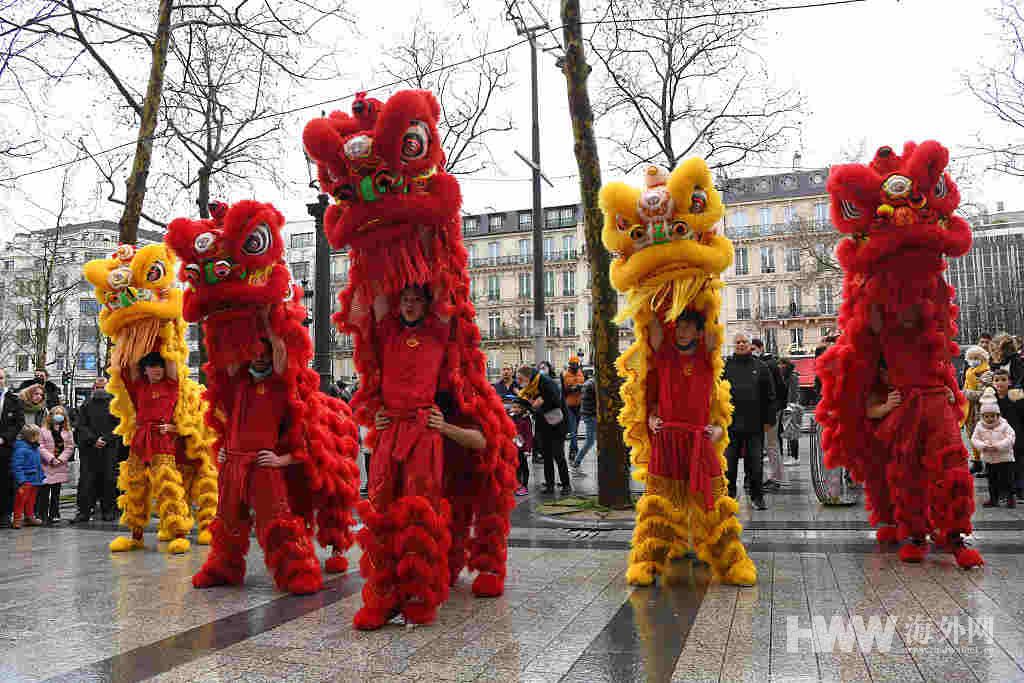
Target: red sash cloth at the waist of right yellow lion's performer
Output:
[{"x": 689, "y": 459}]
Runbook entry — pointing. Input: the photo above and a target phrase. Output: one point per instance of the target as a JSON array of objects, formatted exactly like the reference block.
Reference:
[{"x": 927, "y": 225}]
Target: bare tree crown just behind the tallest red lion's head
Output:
[{"x": 467, "y": 95}]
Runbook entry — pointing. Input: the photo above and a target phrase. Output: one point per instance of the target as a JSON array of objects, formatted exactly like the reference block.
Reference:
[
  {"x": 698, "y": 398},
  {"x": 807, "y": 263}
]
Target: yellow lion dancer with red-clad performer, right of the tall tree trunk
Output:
[{"x": 676, "y": 409}]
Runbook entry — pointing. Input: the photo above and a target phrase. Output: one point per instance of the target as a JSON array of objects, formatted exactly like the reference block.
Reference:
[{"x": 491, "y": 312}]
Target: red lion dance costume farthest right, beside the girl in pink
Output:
[{"x": 899, "y": 317}]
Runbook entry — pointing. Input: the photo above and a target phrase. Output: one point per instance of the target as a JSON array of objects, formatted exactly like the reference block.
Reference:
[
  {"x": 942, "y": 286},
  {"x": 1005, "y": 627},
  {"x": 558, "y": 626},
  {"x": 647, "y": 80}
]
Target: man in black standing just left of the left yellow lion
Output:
[{"x": 99, "y": 449}]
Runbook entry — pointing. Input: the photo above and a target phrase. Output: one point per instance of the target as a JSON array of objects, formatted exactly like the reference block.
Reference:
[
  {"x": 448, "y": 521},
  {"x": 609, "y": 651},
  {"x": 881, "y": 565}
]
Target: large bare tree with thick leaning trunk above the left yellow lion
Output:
[{"x": 57, "y": 34}]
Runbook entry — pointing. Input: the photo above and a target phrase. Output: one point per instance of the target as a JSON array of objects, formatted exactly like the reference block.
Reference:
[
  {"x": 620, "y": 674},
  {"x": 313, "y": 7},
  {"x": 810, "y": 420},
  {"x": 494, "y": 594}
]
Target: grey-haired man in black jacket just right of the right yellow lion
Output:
[{"x": 754, "y": 403}]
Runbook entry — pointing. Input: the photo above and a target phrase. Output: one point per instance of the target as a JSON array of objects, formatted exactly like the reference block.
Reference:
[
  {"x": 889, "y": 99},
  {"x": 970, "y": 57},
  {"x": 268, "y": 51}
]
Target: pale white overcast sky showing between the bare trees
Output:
[{"x": 885, "y": 71}]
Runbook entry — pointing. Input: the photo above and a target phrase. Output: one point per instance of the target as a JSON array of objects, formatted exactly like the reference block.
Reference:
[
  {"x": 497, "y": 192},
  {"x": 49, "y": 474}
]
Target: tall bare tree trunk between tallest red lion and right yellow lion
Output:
[{"x": 613, "y": 462}]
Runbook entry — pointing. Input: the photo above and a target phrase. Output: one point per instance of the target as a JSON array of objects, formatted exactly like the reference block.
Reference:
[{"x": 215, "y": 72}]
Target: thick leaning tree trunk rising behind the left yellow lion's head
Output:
[{"x": 148, "y": 126}]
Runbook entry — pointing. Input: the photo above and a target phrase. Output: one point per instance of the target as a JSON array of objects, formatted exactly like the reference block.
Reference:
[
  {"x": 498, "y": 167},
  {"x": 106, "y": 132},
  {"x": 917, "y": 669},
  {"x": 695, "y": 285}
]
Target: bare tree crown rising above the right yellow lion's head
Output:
[{"x": 676, "y": 87}]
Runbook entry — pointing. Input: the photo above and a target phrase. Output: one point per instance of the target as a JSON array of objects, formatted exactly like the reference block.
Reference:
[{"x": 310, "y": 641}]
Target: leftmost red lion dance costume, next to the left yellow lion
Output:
[{"x": 234, "y": 270}]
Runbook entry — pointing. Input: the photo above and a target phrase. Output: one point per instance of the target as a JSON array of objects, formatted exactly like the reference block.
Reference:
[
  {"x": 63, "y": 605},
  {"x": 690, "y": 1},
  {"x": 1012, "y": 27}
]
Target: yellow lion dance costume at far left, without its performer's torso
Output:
[{"x": 142, "y": 313}]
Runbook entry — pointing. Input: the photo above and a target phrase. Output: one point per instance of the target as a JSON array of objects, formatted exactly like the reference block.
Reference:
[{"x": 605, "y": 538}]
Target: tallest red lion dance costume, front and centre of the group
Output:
[{"x": 399, "y": 214}]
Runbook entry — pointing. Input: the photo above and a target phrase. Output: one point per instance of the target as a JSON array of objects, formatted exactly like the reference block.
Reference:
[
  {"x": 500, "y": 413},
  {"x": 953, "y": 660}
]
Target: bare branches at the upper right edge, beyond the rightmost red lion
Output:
[{"x": 1000, "y": 87}]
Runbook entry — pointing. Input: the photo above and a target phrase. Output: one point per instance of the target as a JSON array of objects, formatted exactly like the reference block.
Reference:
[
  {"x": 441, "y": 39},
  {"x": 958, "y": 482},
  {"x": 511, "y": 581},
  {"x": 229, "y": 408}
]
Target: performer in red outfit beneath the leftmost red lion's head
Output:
[{"x": 252, "y": 477}]
